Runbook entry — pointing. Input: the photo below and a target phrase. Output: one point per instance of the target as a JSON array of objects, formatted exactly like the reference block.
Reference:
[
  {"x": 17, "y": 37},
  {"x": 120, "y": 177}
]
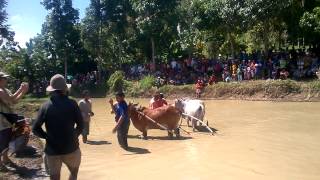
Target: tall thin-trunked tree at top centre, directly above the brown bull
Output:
[{"x": 157, "y": 21}]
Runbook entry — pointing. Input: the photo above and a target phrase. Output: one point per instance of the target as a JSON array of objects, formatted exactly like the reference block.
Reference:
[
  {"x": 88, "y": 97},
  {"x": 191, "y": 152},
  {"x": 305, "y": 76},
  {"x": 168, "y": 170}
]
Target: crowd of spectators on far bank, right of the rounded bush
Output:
[{"x": 256, "y": 65}]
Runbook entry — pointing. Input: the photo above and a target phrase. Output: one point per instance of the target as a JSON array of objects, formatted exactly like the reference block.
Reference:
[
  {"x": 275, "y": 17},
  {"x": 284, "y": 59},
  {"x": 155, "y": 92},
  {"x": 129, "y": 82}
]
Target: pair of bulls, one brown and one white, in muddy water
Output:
[{"x": 166, "y": 117}]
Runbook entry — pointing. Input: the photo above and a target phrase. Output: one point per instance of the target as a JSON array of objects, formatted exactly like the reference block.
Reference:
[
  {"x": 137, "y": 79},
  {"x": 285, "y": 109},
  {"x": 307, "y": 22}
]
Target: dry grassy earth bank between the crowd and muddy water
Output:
[{"x": 261, "y": 90}]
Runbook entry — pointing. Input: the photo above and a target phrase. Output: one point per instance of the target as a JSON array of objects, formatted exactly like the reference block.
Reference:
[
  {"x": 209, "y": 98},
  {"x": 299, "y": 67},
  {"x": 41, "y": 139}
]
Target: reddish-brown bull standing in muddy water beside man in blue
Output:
[{"x": 168, "y": 116}]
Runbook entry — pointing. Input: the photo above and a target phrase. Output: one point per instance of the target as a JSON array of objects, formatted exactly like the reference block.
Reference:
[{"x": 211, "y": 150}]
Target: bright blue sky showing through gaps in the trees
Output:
[{"x": 26, "y": 17}]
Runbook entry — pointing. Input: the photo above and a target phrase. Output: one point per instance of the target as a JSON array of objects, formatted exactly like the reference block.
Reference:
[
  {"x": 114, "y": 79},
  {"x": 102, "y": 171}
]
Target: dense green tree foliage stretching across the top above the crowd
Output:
[{"x": 118, "y": 32}]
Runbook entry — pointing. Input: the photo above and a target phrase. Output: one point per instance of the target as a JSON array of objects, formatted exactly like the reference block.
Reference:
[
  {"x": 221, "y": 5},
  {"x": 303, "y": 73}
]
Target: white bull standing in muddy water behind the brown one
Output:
[{"x": 194, "y": 108}]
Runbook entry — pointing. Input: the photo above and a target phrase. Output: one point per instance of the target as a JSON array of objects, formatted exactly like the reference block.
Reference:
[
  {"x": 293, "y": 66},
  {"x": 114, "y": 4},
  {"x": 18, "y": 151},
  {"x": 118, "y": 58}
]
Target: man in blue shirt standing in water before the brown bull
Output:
[{"x": 122, "y": 119}]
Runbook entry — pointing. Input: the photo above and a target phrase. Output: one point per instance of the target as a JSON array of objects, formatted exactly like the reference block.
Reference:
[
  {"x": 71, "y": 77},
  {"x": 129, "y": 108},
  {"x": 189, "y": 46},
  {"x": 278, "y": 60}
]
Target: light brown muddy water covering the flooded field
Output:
[{"x": 254, "y": 140}]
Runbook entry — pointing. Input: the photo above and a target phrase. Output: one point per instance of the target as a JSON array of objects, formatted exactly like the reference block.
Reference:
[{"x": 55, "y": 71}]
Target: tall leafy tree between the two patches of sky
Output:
[{"x": 61, "y": 31}]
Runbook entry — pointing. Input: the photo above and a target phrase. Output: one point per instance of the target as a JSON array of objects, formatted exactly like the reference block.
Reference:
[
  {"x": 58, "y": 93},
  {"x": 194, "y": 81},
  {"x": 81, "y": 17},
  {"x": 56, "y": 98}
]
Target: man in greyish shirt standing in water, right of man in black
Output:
[{"x": 85, "y": 105}]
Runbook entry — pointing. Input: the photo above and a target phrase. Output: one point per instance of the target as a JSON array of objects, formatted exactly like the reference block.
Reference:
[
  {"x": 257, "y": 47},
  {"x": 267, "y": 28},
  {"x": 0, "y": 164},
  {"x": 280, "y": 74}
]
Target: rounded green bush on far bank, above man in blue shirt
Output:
[{"x": 116, "y": 82}]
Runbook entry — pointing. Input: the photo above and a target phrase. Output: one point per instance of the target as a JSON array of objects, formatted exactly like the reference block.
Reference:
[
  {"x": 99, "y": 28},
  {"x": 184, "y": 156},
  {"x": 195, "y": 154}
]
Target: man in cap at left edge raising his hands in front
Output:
[{"x": 6, "y": 101}]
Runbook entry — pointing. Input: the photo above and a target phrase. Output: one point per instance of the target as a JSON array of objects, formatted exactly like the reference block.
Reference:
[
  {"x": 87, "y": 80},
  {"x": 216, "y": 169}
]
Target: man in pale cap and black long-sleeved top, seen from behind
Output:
[{"x": 60, "y": 115}]
